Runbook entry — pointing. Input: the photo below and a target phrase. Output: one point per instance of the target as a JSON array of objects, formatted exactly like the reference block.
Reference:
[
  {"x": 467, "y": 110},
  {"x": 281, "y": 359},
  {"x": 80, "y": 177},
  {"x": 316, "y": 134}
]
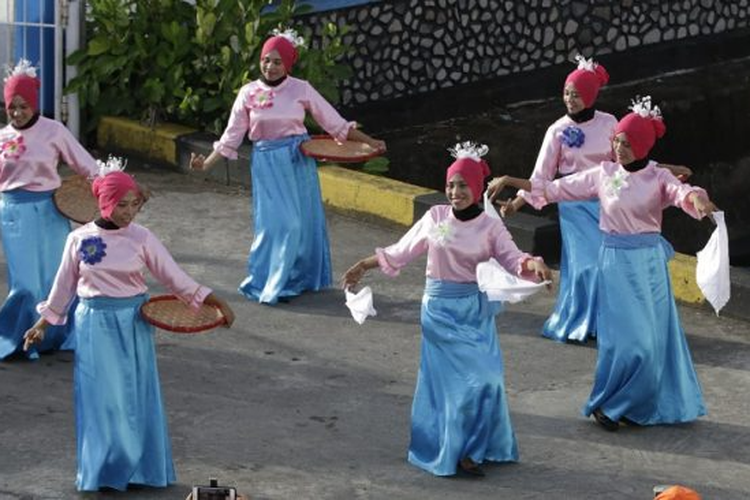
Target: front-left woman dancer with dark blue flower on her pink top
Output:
[{"x": 121, "y": 426}]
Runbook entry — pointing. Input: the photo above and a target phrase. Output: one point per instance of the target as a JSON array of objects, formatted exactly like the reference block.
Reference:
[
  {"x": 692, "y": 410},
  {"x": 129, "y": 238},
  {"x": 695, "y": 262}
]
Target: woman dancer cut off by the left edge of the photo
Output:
[{"x": 33, "y": 231}]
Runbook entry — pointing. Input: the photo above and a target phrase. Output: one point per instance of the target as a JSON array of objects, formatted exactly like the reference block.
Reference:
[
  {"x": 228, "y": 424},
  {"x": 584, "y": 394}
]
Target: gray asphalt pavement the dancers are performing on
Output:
[{"x": 297, "y": 401}]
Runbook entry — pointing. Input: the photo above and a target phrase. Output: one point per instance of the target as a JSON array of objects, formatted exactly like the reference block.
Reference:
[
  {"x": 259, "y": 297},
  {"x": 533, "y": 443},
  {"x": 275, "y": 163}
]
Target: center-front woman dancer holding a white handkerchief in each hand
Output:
[{"x": 460, "y": 413}]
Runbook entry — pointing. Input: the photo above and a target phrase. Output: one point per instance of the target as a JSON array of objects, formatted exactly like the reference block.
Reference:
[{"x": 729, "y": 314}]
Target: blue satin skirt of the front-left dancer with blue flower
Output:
[{"x": 121, "y": 427}]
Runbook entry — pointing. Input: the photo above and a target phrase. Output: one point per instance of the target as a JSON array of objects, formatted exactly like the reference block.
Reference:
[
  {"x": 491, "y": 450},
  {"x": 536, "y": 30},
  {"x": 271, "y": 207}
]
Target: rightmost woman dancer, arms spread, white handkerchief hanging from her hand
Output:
[{"x": 644, "y": 372}]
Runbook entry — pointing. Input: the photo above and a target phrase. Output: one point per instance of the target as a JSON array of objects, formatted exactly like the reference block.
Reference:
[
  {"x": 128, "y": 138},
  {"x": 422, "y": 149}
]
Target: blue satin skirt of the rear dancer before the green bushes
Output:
[{"x": 290, "y": 252}]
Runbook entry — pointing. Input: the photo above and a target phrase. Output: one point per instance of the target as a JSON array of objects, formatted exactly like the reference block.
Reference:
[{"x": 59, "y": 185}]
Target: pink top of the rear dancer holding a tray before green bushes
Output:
[{"x": 263, "y": 112}]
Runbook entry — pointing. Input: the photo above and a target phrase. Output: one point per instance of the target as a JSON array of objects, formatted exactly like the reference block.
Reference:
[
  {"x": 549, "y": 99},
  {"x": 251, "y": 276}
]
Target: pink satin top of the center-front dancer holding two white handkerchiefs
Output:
[{"x": 454, "y": 247}]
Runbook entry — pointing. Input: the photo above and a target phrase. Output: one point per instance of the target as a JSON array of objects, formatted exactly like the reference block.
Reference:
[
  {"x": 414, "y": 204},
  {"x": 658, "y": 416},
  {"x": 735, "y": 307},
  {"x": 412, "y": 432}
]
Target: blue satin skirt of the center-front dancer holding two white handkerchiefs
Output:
[{"x": 460, "y": 408}]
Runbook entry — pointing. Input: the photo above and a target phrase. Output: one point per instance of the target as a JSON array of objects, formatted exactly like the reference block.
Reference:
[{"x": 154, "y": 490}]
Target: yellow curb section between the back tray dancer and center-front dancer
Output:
[{"x": 354, "y": 191}]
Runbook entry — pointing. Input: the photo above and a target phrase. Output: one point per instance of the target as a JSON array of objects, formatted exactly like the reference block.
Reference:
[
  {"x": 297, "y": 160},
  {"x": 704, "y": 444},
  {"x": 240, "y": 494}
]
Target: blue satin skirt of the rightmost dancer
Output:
[{"x": 644, "y": 371}]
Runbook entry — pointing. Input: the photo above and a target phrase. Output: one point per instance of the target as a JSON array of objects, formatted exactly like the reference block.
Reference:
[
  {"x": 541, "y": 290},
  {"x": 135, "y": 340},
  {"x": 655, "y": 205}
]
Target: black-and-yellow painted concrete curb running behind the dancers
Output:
[{"x": 380, "y": 199}]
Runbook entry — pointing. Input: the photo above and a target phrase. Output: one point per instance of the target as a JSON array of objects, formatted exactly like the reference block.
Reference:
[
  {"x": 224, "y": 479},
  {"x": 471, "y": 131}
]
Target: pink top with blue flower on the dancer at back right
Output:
[{"x": 557, "y": 157}]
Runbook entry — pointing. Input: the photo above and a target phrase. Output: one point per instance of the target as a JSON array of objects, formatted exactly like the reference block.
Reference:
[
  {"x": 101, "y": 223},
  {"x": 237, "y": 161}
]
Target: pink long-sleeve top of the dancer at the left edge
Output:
[{"x": 29, "y": 158}]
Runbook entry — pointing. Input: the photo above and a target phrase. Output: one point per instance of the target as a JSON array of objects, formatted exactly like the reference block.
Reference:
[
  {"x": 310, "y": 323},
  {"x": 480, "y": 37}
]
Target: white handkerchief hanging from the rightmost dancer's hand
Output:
[{"x": 712, "y": 270}]
